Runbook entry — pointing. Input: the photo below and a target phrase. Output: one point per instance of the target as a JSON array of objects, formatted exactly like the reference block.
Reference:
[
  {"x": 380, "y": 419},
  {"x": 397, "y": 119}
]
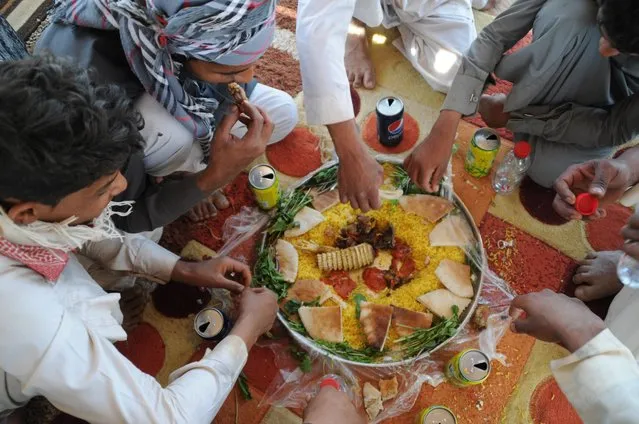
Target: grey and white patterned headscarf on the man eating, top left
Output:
[{"x": 152, "y": 35}]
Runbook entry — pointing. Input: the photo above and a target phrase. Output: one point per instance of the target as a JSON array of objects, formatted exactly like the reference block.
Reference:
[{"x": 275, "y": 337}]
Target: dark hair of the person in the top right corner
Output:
[{"x": 619, "y": 21}]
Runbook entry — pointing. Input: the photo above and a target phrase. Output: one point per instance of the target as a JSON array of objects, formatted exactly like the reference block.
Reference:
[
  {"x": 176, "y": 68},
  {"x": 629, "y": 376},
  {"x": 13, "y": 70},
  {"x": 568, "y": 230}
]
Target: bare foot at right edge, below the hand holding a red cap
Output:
[{"x": 596, "y": 276}]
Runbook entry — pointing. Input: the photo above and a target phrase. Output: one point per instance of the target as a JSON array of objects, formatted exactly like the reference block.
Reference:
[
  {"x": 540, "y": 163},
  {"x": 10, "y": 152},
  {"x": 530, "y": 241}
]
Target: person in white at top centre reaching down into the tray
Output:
[{"x": 434, "y": 36}]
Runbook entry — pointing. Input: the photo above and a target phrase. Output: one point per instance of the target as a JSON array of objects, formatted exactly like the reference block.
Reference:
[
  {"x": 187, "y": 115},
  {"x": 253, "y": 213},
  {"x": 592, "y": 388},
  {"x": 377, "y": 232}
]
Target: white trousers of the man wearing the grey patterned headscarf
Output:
[{"x": 170, "y": 147}]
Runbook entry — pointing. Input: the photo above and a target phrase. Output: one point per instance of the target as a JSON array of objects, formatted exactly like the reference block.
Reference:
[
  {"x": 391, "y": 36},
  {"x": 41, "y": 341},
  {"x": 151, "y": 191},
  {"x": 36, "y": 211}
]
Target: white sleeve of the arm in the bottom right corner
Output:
[{"x": 601, "y": 380}]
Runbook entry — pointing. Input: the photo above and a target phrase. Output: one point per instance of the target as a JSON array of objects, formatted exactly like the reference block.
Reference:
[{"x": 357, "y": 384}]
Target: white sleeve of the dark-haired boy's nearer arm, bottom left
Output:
[{"x": 52, "y": 353}]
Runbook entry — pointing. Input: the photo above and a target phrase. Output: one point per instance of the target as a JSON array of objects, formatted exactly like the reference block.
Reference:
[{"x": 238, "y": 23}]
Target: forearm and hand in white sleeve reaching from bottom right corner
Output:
[{"x": 600, "y": 377}]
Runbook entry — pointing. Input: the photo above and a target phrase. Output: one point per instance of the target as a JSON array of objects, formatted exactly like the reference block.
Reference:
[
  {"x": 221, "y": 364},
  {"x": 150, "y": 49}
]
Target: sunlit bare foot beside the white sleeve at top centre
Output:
[{"x": 359, "y": 67}]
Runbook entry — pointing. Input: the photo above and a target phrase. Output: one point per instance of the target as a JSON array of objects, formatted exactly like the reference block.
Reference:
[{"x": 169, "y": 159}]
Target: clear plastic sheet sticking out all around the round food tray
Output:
[{"x": 293, "y": 388}]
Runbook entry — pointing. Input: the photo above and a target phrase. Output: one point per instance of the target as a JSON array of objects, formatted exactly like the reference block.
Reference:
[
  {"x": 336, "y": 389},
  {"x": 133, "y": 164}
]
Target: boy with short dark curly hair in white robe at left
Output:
[{"x": 63, "y": 141}]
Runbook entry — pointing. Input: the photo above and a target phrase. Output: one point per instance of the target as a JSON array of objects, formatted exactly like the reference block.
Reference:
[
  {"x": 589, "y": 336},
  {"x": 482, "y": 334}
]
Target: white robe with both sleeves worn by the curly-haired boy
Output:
[{"x": 56, "y": 341}]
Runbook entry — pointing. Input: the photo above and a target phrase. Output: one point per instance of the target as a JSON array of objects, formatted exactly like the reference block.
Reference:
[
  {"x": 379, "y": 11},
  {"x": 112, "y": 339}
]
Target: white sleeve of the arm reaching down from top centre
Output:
[{"x": 322, "y": 27}]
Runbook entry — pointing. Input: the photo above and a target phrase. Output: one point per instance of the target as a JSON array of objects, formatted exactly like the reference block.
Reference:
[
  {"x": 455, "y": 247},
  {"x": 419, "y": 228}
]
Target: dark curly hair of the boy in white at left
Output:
[{"x": 60, "y": 132}]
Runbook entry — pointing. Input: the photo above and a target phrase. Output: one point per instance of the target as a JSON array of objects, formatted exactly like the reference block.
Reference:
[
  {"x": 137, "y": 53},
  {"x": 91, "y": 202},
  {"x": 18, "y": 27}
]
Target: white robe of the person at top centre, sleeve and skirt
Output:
[{"x": 434, "y": 36}]
